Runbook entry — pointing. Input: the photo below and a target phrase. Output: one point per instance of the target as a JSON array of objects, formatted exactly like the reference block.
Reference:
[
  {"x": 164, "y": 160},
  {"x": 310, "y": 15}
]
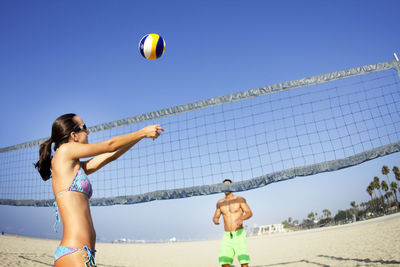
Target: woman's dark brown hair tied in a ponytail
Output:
[{"x": 62, "y": 127}]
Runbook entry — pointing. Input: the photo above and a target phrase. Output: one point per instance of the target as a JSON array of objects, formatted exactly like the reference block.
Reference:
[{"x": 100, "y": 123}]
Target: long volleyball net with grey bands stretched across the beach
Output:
[{"x": 254, "y": 137}]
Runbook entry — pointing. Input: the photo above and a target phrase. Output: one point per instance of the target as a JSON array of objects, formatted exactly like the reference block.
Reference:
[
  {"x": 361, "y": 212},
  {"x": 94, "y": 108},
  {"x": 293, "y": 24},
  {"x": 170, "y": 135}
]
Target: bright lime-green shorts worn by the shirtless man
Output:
[{"x": 234, "y": 243}]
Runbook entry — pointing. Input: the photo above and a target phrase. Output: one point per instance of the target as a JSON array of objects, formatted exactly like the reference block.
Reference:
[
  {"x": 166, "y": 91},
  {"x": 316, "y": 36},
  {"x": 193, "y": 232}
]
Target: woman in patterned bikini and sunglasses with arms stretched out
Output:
[{"x": 71, "y": 187}]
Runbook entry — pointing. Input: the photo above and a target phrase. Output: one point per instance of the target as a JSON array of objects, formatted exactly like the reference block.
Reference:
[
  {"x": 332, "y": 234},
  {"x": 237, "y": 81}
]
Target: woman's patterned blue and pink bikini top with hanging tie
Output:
[{"x": 80, "y": 184}]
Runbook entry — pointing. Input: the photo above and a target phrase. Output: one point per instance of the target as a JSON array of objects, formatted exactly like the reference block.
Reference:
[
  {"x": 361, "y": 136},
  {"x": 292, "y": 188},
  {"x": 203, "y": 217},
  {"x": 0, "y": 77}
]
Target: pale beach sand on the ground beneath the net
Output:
[{"x": 374, "y": 242}]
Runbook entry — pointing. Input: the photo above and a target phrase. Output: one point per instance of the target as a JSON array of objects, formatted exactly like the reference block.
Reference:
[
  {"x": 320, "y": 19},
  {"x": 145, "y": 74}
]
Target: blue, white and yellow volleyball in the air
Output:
[{"x": 152, "y": 46}]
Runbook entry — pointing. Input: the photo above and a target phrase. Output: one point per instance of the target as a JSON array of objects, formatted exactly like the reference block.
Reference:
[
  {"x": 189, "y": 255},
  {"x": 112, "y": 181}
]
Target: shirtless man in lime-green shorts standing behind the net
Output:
[{"x": 234, "y": 210}]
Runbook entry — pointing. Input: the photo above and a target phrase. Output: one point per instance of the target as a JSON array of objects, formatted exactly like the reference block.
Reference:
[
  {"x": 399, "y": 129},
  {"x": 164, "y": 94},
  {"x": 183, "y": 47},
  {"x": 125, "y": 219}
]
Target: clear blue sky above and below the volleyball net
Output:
[{"x": 58, "y": 57}]
